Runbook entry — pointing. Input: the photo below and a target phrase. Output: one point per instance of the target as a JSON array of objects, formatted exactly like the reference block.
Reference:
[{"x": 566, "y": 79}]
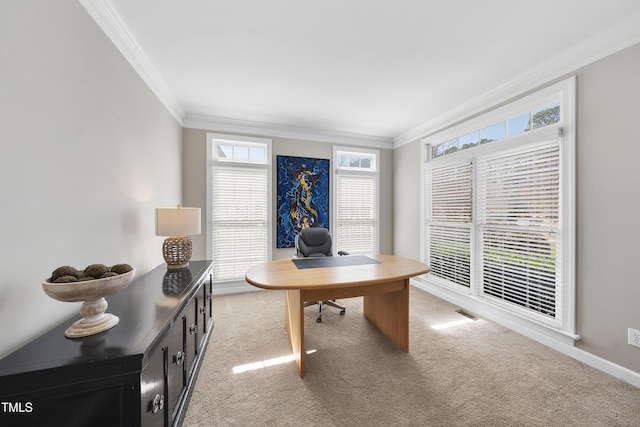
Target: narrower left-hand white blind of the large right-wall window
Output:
[{"x": 449, "y": 208}]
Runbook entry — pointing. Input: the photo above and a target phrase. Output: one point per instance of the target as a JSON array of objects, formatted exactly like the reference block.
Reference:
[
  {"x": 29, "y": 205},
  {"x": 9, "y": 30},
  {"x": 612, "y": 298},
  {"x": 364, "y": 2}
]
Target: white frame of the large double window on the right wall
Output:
[{"x": 563, "y": 92}]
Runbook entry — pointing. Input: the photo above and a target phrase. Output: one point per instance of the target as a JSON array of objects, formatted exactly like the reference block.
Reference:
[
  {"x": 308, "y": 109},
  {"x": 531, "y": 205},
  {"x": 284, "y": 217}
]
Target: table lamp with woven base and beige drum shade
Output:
[{"x": 179, "y": 224}]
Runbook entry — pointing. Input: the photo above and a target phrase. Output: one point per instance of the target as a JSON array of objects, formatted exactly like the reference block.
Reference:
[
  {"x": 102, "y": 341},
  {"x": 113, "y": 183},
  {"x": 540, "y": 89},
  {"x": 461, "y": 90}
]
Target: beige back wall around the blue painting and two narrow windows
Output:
[{"x": 195, "y": 182}]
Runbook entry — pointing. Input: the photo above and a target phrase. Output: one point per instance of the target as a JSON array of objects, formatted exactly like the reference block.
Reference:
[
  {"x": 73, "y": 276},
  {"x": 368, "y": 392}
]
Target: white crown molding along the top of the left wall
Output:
[{"x": 107, "y": 17}]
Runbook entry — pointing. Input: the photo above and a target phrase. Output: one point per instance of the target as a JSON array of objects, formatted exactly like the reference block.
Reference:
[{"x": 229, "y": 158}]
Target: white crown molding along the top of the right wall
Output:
[{"x": 604, "y": 43}]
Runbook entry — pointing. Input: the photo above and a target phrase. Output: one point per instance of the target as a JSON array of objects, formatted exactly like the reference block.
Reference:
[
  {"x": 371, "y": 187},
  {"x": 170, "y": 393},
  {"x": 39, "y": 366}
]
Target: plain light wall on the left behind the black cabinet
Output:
[{"x": 87, "y": 153}]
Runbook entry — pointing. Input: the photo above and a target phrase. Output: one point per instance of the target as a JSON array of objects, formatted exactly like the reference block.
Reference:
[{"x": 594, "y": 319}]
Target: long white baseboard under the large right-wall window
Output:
[{"x": 559, "y": 344}]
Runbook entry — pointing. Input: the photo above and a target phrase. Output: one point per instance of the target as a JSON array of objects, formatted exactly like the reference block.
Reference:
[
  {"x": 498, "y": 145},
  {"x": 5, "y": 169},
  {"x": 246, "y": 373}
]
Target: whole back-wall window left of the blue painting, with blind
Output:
[{"x": 239, "y": 189}]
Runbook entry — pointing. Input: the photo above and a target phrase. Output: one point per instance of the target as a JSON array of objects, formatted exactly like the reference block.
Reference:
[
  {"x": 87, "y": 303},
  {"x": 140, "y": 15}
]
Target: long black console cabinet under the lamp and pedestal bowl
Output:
[{"x": 139, "y": 373}]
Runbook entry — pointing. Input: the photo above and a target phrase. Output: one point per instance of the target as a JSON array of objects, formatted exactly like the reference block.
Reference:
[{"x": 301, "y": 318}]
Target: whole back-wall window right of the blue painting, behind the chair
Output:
[{"x": 356, "y": 178}]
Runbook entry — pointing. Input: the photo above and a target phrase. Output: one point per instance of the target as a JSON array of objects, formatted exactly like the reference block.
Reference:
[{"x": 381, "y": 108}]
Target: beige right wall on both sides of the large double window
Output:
[{"x": 608, "y": 149}]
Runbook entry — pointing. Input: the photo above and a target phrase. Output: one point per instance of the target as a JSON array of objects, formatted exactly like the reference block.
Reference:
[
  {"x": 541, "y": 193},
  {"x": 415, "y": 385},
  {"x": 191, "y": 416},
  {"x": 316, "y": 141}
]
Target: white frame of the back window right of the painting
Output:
[{"x": 373, "y": 170}]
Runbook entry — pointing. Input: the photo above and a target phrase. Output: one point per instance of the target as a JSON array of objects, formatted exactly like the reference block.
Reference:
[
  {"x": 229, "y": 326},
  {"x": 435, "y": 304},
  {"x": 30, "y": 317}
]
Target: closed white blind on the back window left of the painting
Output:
[{"x": 238, "y": 219}]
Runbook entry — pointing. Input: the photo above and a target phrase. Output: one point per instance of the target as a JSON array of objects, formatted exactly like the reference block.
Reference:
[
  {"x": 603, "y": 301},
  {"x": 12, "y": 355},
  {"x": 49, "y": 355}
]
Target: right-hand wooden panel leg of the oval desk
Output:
[{"x": 390, "y": 313}]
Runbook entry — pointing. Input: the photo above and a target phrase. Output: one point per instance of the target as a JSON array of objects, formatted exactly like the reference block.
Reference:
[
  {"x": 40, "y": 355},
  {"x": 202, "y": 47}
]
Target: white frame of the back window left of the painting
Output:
[{"x": 211, "y": 160}]
